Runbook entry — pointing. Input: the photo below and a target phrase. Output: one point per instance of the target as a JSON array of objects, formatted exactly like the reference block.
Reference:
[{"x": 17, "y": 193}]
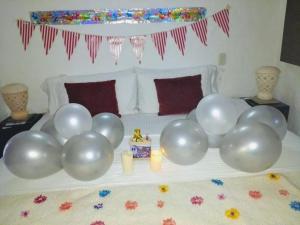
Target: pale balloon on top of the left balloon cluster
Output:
[{"x": 72, "y": 119}]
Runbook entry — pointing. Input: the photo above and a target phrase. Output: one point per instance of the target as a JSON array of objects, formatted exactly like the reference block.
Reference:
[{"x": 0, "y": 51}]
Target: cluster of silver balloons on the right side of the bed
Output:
[{"x": 250, "y": 142}]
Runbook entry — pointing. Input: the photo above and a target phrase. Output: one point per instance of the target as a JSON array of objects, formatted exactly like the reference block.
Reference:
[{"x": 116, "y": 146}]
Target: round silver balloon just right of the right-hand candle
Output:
[{"x": 184, "y": 142}]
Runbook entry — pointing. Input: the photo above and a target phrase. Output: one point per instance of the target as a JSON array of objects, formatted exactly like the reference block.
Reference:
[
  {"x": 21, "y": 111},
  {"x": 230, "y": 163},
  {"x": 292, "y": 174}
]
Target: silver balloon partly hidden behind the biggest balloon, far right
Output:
[{"x": 267, "y": 115}]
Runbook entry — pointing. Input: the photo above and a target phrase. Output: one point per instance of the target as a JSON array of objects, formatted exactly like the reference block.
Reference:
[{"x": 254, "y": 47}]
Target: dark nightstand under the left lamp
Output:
[{"x": 10, "y": 127}]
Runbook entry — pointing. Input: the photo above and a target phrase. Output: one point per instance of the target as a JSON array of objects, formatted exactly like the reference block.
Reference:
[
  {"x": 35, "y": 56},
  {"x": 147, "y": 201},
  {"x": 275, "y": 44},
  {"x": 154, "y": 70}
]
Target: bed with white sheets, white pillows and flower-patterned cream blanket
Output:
[{"x": 116, "y": 198}]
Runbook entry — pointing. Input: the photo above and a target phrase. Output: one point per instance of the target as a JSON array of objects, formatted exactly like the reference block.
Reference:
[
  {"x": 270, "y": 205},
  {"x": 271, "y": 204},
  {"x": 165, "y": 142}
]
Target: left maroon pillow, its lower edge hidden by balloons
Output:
[{"x": 97, "y": 97}]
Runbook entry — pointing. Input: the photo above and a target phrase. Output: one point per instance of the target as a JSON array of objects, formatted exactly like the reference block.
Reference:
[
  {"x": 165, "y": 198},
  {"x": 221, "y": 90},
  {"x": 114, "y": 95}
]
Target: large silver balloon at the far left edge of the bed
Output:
[{"x": 32, "y": 155}]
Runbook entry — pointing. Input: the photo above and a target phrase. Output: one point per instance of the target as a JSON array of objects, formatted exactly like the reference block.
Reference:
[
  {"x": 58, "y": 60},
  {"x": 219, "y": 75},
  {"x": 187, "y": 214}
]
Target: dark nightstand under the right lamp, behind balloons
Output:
[{"x": 282, "y": 107}]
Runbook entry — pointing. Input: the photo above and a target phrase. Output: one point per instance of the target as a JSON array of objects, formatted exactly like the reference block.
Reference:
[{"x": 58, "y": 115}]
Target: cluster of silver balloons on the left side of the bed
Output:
[{"x": 72, "y": 140}]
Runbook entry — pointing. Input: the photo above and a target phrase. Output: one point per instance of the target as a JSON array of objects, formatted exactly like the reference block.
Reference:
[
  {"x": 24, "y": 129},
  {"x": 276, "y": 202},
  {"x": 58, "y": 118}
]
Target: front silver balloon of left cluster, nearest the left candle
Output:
[{"x": 87, "y": 156}]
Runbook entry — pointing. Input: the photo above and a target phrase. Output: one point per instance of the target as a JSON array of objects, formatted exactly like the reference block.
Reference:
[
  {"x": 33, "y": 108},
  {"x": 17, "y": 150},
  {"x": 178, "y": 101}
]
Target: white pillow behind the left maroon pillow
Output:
[{"x": 126, "y": 89}]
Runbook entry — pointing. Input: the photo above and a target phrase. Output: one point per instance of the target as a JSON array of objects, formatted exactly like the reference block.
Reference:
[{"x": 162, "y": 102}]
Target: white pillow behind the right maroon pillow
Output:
[{"x": 147, "y": 95}]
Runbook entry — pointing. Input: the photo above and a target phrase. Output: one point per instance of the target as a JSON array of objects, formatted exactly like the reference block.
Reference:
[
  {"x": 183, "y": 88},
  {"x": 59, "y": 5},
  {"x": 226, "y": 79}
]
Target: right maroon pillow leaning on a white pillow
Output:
[{"x": 178, "y": 95}]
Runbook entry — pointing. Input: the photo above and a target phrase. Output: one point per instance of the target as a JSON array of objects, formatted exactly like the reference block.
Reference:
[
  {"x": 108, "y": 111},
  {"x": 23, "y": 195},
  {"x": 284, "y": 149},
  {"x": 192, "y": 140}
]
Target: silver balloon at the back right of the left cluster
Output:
[{"x": 110, "y": 126}]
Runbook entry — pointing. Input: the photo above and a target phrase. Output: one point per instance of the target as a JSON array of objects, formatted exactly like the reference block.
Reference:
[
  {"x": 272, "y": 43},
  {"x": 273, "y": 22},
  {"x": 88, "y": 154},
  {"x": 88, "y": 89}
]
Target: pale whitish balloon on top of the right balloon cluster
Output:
[{"x": 216, "y": 114}]
